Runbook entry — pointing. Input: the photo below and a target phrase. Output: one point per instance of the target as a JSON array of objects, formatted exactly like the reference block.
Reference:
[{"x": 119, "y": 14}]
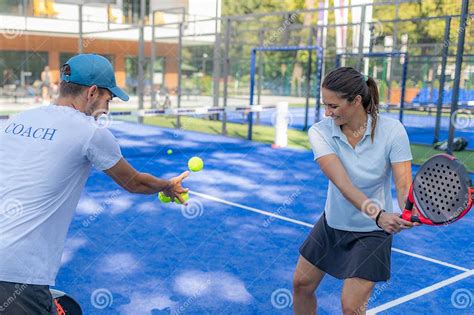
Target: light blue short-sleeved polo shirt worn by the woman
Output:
[{"x": 368, "y": 166}]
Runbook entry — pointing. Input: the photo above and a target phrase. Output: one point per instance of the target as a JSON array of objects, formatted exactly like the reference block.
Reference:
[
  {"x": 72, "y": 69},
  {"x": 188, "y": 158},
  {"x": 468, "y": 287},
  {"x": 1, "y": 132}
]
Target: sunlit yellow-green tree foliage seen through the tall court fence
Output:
[{"x": 424, "y": 37}]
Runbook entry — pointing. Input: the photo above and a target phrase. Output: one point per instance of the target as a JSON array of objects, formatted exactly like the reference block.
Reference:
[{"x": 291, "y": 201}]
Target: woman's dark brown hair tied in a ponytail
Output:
[{"x": 347, "y": 82}]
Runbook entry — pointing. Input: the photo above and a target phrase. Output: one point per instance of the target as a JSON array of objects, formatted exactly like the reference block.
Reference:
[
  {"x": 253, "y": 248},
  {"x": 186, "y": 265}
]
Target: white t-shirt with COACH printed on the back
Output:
[{"x": 46, "y": 156}]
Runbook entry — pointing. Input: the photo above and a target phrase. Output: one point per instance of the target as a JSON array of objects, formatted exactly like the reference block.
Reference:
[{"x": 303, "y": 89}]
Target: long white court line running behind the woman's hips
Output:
[{"x": 276, "y": 216}]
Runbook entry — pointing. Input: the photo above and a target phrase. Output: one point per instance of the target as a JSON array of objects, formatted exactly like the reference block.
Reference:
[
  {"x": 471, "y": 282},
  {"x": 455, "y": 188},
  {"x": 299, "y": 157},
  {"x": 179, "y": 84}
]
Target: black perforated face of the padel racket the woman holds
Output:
[{"x": 441, "y": 189}]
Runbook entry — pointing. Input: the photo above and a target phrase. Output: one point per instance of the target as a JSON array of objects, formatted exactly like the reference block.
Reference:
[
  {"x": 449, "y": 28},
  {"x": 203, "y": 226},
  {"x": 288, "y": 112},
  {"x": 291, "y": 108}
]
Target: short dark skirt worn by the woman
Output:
[{"x": 345, "y": 254}]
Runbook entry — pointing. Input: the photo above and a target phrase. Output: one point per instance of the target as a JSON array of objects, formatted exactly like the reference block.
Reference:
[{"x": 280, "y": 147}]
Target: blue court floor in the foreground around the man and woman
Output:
[{"x": 234, "y": 248}]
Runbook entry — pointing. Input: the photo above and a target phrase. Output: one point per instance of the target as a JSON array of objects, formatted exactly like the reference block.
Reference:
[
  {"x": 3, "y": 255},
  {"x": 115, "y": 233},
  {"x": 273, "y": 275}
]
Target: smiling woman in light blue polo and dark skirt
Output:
[{"x": 358, "y": 150}]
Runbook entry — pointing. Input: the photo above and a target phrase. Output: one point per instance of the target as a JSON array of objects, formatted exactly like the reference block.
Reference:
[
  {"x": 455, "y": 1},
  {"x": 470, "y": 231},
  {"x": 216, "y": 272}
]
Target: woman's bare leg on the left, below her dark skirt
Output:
[{"x": 305, "y": 282}]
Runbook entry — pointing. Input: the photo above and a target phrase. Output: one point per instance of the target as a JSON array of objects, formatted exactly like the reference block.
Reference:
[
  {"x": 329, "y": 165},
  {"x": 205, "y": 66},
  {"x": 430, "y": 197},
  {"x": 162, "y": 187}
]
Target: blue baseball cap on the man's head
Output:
[{"x": 92, "y": 69}]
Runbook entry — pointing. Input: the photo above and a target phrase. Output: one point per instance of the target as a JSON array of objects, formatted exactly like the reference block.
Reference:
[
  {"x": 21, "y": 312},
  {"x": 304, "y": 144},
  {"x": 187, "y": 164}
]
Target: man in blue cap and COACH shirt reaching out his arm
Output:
[{"x": 46, "y": 155}]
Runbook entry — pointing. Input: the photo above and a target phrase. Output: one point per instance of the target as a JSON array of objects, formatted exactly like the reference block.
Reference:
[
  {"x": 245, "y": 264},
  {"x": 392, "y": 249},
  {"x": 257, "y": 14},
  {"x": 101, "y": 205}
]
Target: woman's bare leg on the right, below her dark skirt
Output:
[{"x": 355, "y": 295}]
